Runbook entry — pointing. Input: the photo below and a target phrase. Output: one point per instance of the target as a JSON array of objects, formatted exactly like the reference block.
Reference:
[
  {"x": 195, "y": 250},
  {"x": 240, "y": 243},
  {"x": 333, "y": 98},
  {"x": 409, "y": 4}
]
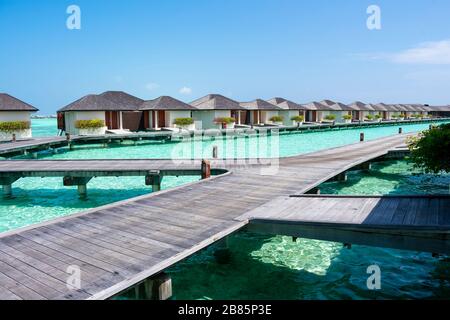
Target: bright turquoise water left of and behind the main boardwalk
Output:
[{"x": 38, "y": 199}]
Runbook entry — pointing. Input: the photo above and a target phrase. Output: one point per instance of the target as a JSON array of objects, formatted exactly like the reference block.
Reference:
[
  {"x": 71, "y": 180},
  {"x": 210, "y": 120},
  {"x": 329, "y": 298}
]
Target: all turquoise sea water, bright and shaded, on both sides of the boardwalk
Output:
[{"x": 262, "y": 267}]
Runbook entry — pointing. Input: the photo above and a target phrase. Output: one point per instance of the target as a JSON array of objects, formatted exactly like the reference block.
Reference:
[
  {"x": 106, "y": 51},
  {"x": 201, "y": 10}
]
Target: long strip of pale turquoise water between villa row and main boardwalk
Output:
[{"x": 252, "y": 147}]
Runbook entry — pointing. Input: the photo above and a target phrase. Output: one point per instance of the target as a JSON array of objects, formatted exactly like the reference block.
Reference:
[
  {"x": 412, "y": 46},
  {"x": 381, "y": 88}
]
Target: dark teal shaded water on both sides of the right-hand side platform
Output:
[{"x": 266, "y": 267}]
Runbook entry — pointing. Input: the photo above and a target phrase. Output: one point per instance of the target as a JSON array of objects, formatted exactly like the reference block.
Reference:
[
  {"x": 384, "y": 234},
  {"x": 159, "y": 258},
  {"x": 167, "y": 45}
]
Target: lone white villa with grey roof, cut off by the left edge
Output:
[{"x": 14, "y": 118}]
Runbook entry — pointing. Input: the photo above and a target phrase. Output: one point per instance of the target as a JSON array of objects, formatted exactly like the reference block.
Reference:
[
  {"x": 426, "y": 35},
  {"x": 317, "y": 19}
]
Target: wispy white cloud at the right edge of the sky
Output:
[{"x": 425, "y": 53}]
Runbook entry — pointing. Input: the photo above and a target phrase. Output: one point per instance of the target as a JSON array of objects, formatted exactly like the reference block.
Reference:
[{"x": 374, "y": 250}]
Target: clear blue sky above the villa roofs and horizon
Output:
[{"x": 245, "y": 49}]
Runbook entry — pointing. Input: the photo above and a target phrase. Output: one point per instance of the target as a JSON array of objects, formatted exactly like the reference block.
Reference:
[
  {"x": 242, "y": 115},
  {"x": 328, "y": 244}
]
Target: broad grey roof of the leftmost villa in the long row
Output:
[{"x": 107, "y": 101}]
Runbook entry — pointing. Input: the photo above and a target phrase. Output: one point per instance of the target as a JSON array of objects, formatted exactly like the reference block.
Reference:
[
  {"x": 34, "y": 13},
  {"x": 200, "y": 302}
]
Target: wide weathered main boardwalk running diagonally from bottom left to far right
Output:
[{"x": 121, "y": 244}]
